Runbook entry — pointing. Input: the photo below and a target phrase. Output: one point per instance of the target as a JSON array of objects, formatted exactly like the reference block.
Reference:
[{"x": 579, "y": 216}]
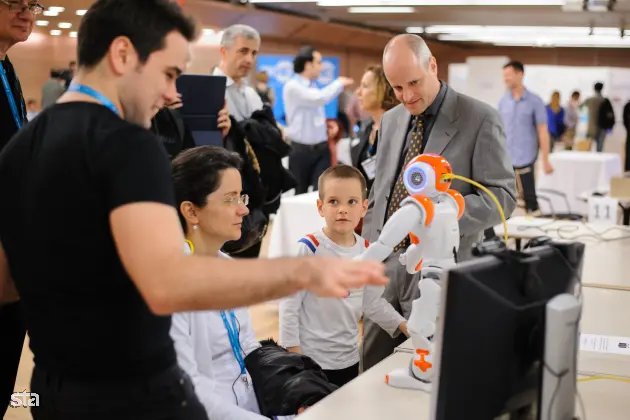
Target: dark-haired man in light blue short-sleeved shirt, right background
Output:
[{"x": 525, "y": 118}]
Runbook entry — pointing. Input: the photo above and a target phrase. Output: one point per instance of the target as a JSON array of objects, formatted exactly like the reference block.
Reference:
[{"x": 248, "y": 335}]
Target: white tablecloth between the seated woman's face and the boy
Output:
[{"x": 296, "y": 217}]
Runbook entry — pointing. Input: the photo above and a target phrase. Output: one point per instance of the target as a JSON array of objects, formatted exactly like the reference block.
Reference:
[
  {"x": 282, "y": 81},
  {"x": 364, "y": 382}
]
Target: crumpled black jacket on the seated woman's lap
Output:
[{"x": 284, "y": 382}]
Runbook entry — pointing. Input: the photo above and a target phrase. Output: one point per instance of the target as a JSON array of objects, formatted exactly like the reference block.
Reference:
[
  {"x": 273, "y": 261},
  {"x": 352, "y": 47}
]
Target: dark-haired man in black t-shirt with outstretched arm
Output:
[{"x": 91, "y": 240}]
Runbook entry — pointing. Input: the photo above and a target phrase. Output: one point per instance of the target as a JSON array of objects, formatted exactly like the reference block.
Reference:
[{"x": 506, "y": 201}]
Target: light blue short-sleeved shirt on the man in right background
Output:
[{"x": 521, "y": 119}]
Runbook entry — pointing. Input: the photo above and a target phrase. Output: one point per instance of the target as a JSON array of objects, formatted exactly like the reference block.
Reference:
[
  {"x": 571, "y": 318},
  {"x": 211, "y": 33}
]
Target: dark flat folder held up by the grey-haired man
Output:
[{"x": 203, "y": 96}]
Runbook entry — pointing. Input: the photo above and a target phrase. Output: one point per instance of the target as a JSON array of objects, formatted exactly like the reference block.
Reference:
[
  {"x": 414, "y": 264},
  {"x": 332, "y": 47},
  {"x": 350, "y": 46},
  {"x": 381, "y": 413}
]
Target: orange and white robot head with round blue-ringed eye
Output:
[{"x": 423, "y": 174}]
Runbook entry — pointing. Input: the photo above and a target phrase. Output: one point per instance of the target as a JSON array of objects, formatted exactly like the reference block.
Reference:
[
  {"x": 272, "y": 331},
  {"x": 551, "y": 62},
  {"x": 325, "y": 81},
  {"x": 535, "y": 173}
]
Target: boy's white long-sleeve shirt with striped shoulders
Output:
[{"x": 327, "y": 329}]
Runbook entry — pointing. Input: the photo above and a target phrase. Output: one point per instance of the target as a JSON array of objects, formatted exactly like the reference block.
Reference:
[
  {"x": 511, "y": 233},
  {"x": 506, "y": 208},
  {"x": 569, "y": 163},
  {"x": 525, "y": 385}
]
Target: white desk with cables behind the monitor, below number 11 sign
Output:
[{"x": 606, "y": 263}]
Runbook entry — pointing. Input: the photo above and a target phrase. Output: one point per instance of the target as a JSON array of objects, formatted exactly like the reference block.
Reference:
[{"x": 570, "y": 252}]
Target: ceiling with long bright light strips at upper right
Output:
[{"x": 539, "y": 22}]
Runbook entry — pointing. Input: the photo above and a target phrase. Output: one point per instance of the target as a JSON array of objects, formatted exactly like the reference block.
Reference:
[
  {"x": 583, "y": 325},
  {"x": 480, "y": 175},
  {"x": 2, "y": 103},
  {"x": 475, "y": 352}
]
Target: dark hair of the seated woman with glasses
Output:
[{"x": 197, "y": 173}]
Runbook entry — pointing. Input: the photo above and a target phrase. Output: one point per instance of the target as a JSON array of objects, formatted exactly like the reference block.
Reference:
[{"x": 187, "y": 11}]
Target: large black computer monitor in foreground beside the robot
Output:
[{"x": 490, "y": 338}]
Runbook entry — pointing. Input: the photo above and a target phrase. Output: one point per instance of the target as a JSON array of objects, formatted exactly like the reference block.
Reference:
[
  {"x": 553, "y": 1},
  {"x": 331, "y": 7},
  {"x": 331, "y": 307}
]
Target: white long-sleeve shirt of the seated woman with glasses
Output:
[{"x": 204, "y": 352}]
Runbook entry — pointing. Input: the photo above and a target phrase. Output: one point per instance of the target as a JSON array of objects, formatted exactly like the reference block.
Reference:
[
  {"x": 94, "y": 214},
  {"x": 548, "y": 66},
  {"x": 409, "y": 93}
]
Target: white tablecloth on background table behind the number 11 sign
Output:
[{"x": 574, "y": 174}]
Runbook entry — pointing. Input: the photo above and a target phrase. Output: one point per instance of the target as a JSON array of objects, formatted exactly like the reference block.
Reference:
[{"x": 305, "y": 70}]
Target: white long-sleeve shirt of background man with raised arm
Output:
[{"x": 304, "y": 109}]
